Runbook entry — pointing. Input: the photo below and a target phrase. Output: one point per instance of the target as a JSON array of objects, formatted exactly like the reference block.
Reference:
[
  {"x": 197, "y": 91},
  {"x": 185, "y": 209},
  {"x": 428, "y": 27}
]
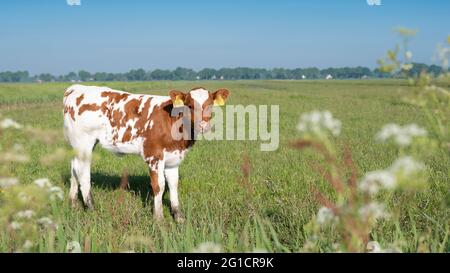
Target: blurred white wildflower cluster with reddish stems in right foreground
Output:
[{"x": 357, "y": 210}]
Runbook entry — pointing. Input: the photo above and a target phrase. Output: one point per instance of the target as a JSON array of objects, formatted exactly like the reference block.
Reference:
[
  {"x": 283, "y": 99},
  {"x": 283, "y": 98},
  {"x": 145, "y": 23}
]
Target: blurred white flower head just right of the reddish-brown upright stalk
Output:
[{"x": 372, "y": 182}]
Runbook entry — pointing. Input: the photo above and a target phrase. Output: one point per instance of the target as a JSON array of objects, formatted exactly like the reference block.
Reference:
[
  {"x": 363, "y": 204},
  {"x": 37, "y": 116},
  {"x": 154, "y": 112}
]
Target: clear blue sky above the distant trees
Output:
[{"x": 118, "y": 35}]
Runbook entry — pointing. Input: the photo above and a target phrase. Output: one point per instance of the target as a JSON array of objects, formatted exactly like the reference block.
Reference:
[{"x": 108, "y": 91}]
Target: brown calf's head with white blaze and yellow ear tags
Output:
[{"x": 198, "y": 105}]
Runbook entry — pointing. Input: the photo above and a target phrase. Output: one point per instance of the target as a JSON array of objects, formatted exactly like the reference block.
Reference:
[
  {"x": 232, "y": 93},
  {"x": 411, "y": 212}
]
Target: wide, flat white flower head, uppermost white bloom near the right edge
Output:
[{"x": 402, "y": 136}]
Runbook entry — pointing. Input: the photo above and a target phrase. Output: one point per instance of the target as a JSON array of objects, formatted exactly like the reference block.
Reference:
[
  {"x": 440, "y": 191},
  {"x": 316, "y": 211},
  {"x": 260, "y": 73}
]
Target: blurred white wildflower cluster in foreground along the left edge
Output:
[{"x": 26, "y": 210}]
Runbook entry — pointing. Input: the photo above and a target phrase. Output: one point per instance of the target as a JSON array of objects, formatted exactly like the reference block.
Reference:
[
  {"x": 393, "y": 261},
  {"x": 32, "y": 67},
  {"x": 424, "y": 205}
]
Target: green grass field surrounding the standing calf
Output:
[{"x": 218, "y": 207}]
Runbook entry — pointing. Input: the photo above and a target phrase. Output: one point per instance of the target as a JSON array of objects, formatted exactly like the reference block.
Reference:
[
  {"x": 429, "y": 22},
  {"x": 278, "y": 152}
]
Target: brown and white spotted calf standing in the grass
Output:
[{"x": 126, "y": 123}]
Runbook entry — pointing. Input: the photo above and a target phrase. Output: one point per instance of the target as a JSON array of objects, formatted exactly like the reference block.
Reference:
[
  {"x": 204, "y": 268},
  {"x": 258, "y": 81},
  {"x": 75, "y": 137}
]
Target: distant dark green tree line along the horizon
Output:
[{"x": 238, "y": 73}]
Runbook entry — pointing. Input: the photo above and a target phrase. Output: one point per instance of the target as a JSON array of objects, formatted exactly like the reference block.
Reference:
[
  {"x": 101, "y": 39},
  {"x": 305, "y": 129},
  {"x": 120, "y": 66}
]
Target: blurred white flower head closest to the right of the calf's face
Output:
[{"x": 318, "y": 123}]
